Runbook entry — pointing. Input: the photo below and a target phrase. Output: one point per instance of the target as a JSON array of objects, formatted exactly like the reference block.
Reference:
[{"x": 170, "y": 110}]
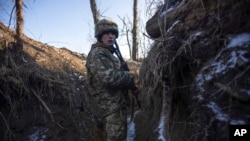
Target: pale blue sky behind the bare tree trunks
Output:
[{"x": 69, "y": 23}]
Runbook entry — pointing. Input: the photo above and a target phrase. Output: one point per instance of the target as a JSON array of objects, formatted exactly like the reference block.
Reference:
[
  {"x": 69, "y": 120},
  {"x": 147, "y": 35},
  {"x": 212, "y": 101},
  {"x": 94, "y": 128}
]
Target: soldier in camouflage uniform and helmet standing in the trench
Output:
[{"x": 107, "y": 82}]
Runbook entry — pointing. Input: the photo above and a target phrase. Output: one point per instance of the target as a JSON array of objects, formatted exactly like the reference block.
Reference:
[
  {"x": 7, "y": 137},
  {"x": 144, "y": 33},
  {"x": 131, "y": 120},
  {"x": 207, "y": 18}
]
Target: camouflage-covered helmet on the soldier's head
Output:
[{"x": 105, "y": 25}]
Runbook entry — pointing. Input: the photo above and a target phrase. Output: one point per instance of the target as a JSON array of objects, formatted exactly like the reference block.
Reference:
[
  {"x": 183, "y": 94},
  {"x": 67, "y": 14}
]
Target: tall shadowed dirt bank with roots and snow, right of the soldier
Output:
[{"x": 196, "y": 77}]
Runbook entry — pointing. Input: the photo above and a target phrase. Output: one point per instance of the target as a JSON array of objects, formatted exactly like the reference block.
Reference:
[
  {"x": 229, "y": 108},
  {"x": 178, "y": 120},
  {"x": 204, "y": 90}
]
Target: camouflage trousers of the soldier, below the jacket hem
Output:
[{"x": 116, "y": 126}]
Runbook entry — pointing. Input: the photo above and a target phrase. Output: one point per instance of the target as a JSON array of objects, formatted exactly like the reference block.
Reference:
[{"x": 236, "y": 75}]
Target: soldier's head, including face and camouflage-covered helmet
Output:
[{"x": 106, "y": 31}]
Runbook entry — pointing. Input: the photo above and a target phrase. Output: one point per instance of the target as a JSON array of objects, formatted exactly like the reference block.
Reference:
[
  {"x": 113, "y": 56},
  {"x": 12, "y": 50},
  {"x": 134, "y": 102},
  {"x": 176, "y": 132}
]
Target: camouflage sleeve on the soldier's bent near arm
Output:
[{"x": 104, "y": 70}]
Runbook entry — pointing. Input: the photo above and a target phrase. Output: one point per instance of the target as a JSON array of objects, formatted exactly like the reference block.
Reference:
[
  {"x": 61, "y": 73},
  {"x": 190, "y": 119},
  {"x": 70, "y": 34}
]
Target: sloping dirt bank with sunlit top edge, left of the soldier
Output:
[{"x": 43, "y": 93}]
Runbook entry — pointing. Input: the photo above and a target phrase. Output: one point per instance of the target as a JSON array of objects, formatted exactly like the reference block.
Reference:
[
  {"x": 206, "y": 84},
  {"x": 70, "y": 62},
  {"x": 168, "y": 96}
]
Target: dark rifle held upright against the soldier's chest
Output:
[{"x": 124, "y": 67}]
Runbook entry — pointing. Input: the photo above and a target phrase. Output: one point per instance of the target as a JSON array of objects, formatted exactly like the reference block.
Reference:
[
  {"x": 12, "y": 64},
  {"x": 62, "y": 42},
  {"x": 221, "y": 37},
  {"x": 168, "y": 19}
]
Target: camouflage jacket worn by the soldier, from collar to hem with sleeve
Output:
[{"x": 105, "y": 79}]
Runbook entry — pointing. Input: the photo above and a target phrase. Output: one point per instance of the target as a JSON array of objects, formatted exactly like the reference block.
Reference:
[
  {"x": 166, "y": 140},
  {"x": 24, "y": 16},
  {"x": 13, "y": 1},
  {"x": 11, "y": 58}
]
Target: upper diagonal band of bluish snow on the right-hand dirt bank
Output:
[{"x": 223, "y": 62}]
